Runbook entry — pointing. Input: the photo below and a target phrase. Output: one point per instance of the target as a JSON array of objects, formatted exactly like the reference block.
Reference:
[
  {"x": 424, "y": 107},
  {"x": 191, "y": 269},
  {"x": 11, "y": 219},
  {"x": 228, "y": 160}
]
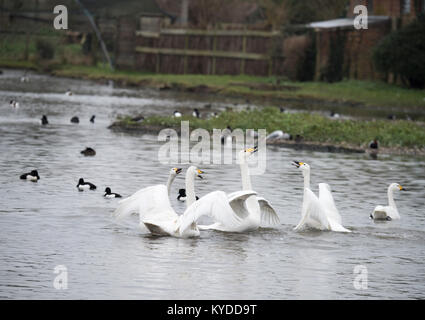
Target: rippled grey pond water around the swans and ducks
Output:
[{"x": 50, "y": 223}]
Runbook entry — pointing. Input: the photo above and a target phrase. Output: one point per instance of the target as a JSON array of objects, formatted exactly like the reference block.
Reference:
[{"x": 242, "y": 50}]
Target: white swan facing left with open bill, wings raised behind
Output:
[{"x": 318, "y": 213}]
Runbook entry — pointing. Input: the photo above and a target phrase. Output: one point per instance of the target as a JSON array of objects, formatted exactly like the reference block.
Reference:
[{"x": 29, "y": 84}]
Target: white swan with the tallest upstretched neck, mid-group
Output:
[{"x": 255, "y": 211}]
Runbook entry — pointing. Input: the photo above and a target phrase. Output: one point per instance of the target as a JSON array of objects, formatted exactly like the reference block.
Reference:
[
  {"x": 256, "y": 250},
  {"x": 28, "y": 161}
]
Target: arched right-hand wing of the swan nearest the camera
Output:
[{"x": 216, "y": 206}]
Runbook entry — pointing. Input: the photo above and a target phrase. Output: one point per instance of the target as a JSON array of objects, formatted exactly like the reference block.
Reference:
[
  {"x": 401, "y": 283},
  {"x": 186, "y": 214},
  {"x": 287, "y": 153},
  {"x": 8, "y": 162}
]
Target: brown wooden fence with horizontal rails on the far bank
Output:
[{"x": 184, "y": 51}]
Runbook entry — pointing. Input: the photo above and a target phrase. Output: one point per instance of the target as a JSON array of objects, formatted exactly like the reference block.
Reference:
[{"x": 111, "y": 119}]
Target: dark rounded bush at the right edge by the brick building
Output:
[{"x": 403, "y": 53}]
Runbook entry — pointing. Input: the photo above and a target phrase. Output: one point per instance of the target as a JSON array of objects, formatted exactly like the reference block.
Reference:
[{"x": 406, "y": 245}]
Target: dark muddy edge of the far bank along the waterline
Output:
[{"x": 301, "y": 102}]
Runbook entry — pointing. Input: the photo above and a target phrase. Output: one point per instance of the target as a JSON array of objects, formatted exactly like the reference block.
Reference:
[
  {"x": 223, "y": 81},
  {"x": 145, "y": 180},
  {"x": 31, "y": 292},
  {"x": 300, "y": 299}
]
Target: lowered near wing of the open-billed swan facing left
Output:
[{"x": 312, "y": 210}]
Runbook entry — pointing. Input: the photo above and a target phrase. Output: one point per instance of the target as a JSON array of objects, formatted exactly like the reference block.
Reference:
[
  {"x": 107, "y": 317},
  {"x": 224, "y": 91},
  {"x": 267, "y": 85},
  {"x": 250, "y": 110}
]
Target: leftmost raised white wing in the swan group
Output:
[{"x": 147, "y": 202}]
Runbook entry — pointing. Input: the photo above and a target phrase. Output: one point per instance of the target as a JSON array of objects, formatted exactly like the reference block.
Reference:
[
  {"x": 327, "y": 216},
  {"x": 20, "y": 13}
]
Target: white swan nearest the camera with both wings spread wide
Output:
[{"x": 156, "y": 213}]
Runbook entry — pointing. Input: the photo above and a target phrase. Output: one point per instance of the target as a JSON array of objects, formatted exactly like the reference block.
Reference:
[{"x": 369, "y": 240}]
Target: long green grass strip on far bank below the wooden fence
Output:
[{"x": 367, "y": 92}]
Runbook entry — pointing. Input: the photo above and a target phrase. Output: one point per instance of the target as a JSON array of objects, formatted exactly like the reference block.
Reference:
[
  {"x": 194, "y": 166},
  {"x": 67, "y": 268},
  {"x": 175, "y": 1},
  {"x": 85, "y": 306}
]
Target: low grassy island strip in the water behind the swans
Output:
[{"x": 311, "y": 127}]
